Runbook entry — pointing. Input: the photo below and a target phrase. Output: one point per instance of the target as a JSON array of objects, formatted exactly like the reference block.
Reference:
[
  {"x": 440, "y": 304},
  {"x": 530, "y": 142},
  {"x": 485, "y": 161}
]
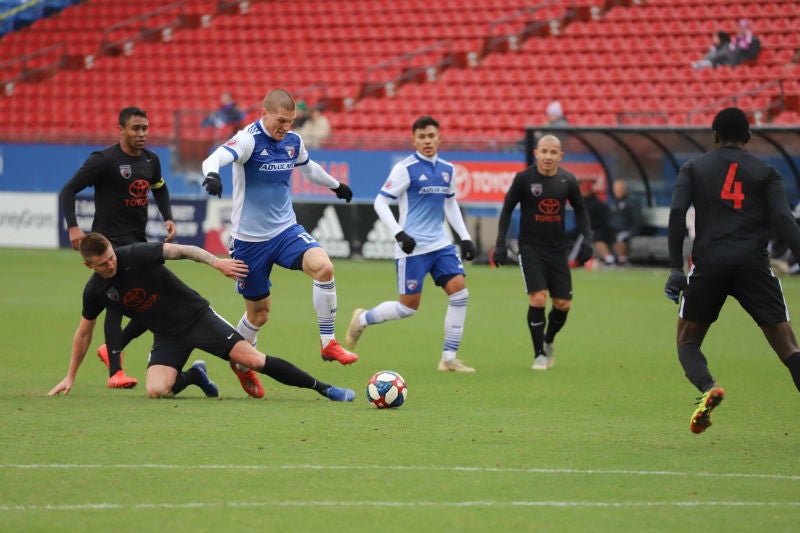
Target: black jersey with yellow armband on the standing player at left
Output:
[{"x": 121, "y": 185}]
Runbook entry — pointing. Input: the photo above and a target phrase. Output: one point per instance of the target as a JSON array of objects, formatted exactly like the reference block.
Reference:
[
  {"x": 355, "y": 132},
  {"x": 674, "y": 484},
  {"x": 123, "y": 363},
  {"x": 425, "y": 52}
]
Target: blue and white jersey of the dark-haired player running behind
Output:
[{"x": 421, "y": 186}]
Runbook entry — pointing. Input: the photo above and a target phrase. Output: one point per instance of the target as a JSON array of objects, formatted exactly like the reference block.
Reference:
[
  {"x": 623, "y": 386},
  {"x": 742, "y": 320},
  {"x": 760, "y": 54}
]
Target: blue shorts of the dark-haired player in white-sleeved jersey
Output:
[{"x": 443, "y": 265}]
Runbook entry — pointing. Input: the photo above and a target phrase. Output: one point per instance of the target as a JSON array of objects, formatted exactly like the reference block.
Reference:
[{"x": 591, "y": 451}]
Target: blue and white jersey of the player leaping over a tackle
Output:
[{"x": 262, "y": 172}]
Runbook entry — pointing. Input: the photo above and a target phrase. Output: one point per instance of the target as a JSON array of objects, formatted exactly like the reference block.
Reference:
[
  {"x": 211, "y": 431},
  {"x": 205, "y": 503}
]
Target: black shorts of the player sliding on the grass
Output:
[{"x": 210, "y": 333}]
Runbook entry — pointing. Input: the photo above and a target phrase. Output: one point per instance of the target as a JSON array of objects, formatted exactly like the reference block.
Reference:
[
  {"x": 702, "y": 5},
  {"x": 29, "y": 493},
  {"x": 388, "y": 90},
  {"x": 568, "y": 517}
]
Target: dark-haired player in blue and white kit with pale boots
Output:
[{"x": 422, "y": 185}]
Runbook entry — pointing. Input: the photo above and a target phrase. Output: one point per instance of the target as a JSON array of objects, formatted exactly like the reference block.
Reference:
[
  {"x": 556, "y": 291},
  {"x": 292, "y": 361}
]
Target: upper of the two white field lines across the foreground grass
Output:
[{"x": 467, "y": 469}]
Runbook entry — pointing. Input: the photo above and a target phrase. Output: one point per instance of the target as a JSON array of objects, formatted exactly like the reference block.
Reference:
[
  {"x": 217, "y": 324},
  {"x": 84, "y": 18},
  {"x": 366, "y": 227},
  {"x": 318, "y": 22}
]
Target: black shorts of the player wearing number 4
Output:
[{"x": 756, "y": 288}]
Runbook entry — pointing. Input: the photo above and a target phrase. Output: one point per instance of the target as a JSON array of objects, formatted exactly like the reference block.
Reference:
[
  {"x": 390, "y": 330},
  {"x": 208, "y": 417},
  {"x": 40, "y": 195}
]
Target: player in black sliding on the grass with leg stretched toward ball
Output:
[{"x": 133, "y": 280}]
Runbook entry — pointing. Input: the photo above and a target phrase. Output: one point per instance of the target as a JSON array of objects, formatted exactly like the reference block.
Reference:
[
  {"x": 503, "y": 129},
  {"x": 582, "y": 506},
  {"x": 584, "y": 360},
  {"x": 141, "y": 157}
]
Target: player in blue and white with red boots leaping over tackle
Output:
[{"x": 264, "y": 228}]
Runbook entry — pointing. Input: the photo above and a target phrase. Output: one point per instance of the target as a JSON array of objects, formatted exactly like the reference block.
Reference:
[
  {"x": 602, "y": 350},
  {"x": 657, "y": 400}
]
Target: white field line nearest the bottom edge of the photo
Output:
[{"x": 325, "y": 503}]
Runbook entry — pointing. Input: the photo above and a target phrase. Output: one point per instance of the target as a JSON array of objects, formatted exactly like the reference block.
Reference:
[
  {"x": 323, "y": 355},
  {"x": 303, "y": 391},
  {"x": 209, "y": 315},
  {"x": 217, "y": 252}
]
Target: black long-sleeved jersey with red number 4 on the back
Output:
[{"x": 736, "y": 197}]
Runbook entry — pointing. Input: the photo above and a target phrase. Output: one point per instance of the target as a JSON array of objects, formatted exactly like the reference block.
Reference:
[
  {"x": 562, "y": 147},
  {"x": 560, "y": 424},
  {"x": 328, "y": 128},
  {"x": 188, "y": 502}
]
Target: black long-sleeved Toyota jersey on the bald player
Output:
[{"x": 542, "y": 201}]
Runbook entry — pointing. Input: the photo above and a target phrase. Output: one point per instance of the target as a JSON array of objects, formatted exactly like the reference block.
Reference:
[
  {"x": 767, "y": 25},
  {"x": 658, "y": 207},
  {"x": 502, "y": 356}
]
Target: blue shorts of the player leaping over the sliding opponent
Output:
[{"x": 285, "y": 250}]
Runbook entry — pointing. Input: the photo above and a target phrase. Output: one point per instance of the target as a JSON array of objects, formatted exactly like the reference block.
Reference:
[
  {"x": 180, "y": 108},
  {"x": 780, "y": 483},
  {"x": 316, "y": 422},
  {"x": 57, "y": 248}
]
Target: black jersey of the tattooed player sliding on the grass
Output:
[{"x": 145, "y": 290}]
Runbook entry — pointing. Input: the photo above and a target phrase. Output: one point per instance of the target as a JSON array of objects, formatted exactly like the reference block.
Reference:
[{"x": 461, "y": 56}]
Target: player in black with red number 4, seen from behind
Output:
[{"x": 737, "y": 199}]
